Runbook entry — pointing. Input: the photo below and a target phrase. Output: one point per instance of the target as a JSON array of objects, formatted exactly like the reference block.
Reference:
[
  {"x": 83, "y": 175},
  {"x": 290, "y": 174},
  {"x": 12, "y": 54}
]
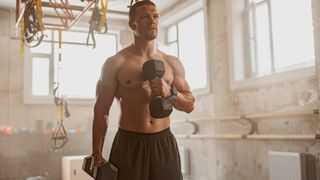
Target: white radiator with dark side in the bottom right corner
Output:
[{"x": 291, "y": 166}]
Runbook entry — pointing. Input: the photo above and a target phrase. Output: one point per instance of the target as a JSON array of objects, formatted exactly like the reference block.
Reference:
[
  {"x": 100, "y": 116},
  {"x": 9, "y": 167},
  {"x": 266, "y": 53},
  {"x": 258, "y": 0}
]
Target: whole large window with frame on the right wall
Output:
[{"x": 274, "y": 37}]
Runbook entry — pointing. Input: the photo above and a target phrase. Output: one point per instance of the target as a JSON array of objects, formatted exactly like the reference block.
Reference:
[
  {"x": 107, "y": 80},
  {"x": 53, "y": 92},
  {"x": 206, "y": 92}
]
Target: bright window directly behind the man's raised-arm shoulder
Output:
[{"x": 186, "y": 40}]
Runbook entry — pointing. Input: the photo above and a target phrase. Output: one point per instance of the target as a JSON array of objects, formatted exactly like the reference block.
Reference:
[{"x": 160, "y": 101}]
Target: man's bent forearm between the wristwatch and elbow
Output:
[{"x": 184, "y": 102}]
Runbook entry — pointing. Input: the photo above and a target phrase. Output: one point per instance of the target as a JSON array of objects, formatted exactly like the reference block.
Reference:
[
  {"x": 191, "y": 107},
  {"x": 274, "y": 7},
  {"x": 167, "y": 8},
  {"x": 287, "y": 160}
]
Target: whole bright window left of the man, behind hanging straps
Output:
[{"x": 77, "y": 69}]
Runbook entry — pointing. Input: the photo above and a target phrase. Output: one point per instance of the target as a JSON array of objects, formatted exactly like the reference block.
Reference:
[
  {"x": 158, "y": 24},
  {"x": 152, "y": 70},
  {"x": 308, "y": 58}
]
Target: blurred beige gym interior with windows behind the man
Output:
[{"x": 253, "y": 66}]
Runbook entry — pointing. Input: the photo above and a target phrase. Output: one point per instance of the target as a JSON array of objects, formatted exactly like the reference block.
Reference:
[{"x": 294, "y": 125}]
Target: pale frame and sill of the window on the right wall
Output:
[{"x": 238, "y": 28}]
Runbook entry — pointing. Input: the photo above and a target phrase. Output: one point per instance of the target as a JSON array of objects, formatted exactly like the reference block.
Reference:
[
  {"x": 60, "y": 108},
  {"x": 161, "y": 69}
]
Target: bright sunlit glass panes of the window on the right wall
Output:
[{"x": 280, "y": 36}]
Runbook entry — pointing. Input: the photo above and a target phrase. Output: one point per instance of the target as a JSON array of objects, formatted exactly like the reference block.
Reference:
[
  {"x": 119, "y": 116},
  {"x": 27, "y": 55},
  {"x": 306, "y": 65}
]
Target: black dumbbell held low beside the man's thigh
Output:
[{"x": 102, "y": 171}]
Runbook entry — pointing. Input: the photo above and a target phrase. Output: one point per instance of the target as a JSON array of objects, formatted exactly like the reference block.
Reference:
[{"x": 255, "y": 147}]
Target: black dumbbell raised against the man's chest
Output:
[{"x": 159, "y": 107}]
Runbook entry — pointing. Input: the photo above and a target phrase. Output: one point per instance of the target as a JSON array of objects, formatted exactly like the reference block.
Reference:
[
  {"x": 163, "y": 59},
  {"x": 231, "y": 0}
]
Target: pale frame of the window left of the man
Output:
[{"x": 28, "y": 98}]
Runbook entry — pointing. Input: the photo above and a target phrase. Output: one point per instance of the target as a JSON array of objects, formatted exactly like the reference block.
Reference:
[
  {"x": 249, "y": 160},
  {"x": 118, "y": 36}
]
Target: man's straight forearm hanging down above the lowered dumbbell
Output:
[{"x": 99, "y": 130}]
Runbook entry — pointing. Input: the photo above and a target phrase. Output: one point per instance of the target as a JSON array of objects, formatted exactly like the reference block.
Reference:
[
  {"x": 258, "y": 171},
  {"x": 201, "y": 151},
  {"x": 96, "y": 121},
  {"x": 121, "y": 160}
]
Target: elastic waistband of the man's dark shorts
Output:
[{"x": 144, "y": 136}]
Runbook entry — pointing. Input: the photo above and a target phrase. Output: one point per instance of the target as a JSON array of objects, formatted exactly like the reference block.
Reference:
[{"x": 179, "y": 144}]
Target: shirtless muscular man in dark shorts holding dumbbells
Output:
[{"x": 144, "y": 147}]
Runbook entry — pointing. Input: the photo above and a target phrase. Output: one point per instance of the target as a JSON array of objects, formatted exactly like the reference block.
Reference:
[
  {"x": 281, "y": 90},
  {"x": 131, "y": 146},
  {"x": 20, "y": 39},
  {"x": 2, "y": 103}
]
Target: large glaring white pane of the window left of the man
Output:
[{"x": 81, "y": 65}]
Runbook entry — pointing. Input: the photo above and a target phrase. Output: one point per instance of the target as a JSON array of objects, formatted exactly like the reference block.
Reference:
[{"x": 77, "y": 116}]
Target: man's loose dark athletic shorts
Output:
[{"x": 146, "y": 156}]
